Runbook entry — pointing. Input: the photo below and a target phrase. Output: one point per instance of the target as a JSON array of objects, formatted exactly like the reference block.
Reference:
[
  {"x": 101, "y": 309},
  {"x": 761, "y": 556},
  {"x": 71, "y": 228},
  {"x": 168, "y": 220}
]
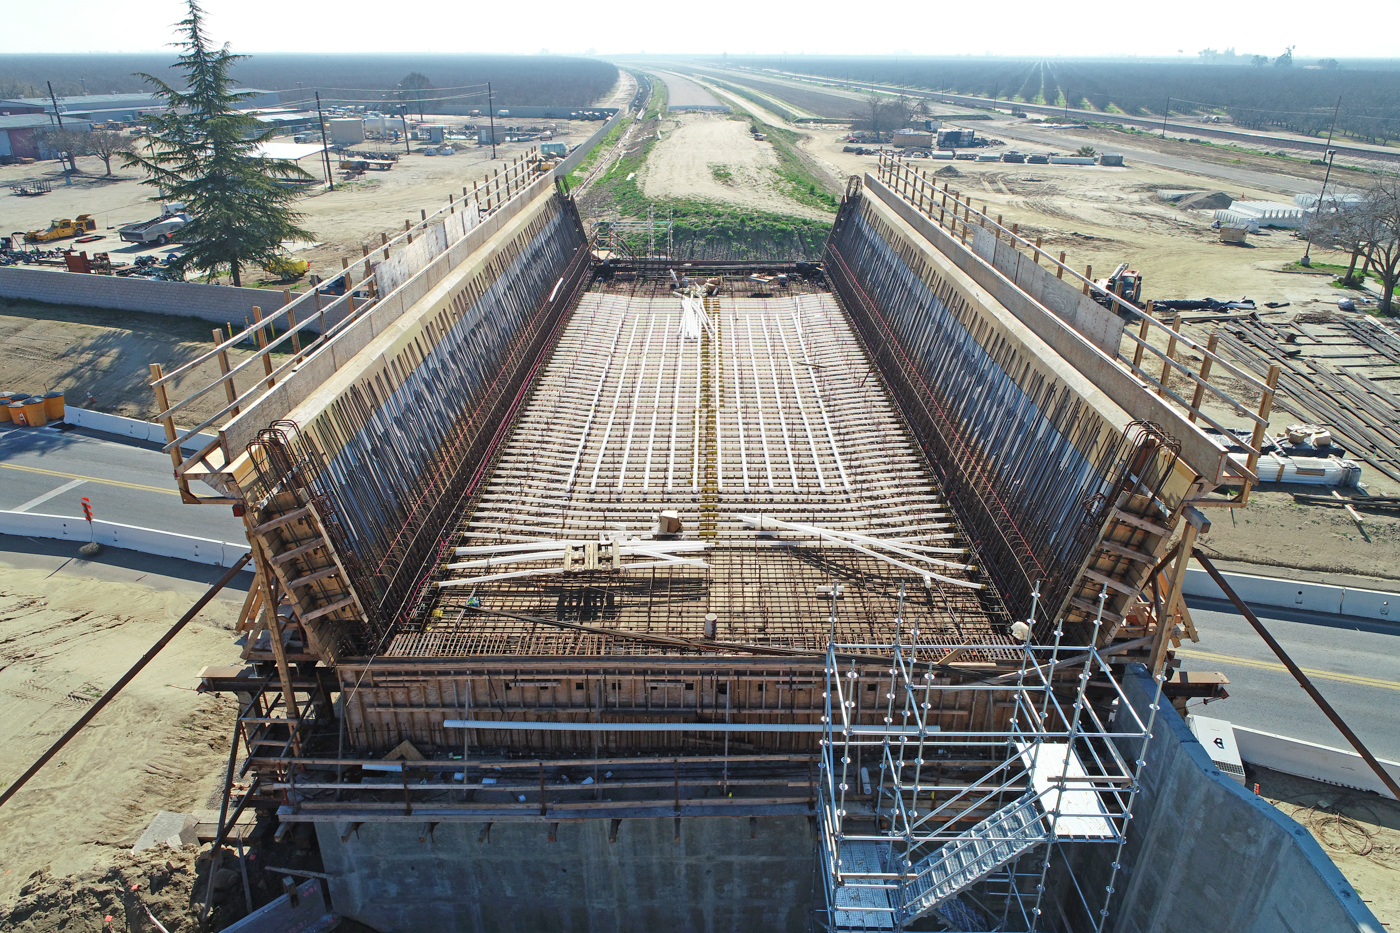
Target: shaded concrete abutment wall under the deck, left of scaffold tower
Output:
[{"x": 715, "y": 880}]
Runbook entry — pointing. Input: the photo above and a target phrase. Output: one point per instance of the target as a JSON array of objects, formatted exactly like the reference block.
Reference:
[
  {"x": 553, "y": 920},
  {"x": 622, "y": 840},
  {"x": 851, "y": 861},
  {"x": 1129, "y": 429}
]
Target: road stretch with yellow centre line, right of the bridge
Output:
[{"x": 1354, "y": 665}]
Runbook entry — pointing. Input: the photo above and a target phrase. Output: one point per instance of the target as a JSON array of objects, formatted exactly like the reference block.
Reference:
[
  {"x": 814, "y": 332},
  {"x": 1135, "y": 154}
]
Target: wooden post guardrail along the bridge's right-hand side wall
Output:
[{"x": 954, "y": 212}]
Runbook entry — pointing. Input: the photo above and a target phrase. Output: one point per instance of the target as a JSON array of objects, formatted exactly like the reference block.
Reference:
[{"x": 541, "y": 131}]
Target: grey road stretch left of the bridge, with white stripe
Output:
[{"x": 50, "y": 470}]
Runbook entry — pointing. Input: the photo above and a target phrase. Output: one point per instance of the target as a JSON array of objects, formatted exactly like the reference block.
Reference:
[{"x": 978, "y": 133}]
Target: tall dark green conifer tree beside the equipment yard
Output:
[{"x": 204, "y": 153}]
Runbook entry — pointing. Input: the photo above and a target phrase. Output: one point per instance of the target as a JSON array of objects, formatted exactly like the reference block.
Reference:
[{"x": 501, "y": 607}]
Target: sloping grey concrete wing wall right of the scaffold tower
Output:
[{"x": 1206, "y": 854}]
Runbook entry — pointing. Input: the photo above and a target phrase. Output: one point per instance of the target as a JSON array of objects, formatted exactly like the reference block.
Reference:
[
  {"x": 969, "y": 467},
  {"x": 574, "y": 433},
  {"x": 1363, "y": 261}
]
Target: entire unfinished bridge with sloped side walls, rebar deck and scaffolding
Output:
[{"x": 839, "y": 596}]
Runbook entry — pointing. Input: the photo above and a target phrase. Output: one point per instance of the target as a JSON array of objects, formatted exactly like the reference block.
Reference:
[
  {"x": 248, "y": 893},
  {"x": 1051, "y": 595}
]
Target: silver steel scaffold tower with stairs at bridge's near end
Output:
[{"x": 975, "y": 826}]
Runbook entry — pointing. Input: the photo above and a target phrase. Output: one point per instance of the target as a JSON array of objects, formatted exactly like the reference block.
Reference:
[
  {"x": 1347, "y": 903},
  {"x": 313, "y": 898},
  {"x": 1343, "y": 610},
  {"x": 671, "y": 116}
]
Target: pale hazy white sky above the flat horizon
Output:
[{"x": 1011, "y": 27}]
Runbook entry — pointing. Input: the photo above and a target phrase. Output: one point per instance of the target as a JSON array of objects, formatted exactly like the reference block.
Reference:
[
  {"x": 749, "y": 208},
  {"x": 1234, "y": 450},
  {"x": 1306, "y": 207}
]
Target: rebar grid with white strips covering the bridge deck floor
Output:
[{"x": 766, "y": 434}]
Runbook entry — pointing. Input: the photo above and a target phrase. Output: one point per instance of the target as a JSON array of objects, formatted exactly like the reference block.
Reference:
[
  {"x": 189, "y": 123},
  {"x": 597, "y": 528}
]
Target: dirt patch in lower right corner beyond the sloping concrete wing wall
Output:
[{"x": 1360, "y": 831}]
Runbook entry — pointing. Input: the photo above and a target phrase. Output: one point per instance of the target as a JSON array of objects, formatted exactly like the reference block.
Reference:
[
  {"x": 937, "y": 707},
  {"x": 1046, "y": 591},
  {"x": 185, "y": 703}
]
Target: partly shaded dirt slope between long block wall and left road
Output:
[{"x": 101, "y": 359}]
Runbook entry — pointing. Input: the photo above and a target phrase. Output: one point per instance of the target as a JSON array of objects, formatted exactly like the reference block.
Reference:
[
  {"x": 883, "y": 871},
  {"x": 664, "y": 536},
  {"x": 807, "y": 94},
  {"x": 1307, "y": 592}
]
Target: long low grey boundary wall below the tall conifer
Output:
[{"x": 218, "y": 305}]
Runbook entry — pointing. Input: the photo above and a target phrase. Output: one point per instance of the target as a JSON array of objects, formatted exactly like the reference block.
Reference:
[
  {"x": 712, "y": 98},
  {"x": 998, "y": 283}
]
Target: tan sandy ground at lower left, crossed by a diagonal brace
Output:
[{"x": 68, "y": 630}]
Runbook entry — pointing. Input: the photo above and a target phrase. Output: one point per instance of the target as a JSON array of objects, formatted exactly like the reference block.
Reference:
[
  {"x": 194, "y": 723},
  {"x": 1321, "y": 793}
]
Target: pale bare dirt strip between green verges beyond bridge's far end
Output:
[{"x": 698, "y": 151}]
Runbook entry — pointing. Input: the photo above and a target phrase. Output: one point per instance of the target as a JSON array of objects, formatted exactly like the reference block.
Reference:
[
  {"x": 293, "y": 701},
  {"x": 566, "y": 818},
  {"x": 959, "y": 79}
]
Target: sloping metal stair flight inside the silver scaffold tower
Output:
[{"x": 972, "y": 857}]
